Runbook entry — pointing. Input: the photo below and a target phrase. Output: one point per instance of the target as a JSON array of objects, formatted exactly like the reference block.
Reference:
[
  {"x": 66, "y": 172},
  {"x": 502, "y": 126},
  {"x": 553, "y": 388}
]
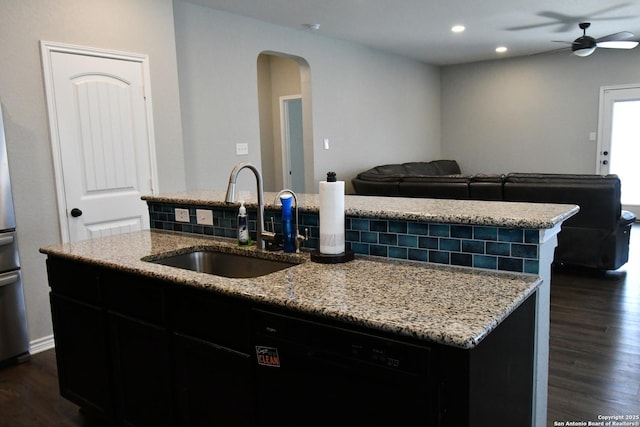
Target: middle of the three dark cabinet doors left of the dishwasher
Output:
[{"x": 142, "y": 378}]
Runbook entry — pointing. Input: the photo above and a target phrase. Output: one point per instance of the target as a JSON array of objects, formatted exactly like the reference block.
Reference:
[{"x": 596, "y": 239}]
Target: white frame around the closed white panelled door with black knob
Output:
[{"x": 46, "y": 49}]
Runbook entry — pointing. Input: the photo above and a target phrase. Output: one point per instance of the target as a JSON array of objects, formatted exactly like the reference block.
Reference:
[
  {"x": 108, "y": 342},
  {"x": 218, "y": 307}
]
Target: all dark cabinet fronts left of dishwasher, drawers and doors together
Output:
[{"x": 139, "y": 352}]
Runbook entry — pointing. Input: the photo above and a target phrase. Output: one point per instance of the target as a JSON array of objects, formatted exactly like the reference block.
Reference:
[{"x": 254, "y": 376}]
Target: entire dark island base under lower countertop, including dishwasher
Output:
[{"x": 138, "y": 351}]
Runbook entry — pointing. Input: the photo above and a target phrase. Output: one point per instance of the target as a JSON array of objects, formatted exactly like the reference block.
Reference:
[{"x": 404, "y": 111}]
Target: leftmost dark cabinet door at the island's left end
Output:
[{"x": 81, "y": 353}]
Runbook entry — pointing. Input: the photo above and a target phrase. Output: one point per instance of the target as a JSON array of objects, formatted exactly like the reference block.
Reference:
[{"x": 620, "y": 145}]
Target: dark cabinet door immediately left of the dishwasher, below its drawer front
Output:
[{"x": 214, "y": 384}]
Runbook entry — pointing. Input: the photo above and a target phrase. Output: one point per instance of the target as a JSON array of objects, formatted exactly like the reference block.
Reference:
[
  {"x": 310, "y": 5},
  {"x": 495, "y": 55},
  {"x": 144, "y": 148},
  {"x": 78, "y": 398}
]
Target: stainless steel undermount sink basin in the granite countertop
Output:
[{"x": 224, "y": 264}]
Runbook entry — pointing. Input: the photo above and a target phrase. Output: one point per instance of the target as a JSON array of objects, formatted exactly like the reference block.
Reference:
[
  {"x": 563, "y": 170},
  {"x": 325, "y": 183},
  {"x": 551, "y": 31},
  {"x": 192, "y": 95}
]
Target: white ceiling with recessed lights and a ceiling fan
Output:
[{"x": 421, "y": 29}]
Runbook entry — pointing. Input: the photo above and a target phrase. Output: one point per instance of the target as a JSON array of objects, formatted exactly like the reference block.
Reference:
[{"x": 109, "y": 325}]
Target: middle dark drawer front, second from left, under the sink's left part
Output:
[{"x": 135, "y": 296}]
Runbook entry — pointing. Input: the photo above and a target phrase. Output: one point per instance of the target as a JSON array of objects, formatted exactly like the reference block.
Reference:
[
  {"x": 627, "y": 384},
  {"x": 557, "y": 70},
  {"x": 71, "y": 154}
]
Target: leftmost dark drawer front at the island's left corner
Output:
[{"x": 73, "y": 279}]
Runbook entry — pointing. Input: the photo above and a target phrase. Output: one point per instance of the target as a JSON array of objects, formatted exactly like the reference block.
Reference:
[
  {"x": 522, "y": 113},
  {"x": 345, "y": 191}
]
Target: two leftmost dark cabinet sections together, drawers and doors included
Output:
[{"x": 112, "y": 346}]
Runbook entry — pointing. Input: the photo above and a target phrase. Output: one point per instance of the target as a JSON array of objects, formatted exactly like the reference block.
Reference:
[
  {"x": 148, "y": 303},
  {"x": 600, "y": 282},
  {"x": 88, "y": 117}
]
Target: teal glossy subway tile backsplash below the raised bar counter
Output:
[{"x": 492, "y": 248}]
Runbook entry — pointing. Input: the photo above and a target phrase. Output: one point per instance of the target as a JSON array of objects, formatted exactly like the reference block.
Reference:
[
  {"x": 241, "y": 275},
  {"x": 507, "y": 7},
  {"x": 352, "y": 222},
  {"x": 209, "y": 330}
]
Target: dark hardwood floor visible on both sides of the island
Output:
[{"x": 594, "y": 355}]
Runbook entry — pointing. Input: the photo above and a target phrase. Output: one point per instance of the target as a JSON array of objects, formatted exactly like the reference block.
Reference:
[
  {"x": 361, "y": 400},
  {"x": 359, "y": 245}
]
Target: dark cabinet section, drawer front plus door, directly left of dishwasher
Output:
[{"x": 213, "y": 366}]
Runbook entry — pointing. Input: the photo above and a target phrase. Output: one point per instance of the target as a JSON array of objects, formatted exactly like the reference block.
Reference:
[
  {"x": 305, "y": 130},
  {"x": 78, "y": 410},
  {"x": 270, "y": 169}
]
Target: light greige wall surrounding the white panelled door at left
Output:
[{"x": 140, "y": 26}]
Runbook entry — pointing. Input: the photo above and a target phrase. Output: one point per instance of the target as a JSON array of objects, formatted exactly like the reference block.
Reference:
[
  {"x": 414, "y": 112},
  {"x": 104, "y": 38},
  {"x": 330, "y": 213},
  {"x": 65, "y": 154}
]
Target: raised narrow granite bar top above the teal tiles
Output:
[{"x": 472, "y": 212}]
